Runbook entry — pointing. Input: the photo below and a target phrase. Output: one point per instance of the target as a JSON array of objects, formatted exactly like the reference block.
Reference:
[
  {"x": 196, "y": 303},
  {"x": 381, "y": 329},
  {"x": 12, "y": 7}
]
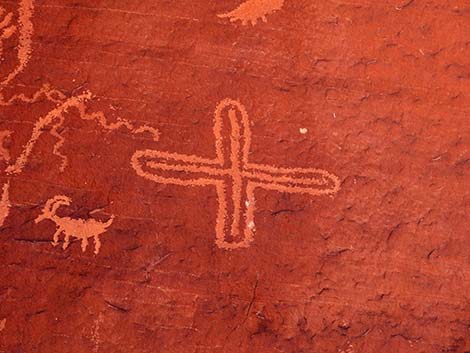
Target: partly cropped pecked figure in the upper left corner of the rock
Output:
[{"x": 16, "y": 25}]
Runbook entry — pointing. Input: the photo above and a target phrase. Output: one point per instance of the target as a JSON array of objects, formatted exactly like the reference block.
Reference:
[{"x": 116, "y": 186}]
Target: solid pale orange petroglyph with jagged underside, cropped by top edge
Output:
[{"x": 253, "y": 10}]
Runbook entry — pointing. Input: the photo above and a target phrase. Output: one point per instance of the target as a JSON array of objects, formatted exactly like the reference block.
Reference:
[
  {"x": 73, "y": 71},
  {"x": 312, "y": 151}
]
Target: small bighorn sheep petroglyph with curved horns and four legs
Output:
[{"x": 78, "y": 228}]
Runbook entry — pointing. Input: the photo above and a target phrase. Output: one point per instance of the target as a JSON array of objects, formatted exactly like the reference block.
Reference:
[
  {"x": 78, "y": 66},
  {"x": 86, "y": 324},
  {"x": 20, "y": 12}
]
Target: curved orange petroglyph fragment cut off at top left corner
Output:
[{"x": 24, "y": 30}]
